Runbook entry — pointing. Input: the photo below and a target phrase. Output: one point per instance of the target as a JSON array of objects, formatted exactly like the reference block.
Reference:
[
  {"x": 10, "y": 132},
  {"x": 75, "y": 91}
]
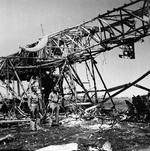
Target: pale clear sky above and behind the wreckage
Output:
[{"x": 20, "y": 24}]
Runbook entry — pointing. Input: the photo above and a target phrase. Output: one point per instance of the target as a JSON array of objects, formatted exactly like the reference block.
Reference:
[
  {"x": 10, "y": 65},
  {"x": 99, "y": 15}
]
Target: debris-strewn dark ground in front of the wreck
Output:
[{"x": 123, "y": 136}]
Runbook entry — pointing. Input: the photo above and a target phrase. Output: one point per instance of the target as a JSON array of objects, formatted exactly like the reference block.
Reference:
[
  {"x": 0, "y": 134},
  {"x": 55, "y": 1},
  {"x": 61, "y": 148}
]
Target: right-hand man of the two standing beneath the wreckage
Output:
[{"x": 54, "y": 105}]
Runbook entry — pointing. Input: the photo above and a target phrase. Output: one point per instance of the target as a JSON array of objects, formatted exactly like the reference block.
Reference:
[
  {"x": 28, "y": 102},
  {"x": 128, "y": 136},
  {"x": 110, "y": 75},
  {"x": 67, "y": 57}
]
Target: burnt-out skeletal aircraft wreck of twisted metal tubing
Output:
[{"x": 121, "y": 27}]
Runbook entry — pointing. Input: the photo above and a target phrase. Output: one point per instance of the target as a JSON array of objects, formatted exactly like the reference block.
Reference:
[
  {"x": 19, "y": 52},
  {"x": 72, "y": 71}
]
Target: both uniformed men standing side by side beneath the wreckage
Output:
[{"x": 34, "y": 103}]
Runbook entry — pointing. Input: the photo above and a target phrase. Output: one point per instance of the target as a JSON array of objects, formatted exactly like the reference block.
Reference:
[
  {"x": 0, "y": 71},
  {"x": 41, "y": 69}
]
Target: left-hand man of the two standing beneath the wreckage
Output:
[{"x": 34, "y": 106}]
